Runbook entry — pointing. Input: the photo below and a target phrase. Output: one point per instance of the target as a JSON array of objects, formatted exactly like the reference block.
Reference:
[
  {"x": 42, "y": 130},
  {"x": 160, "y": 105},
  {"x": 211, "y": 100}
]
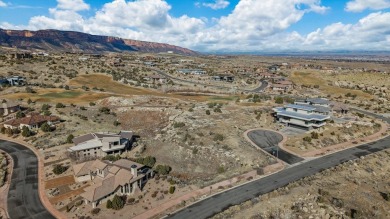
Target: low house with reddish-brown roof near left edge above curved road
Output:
[{"x": 31, "y": 121}]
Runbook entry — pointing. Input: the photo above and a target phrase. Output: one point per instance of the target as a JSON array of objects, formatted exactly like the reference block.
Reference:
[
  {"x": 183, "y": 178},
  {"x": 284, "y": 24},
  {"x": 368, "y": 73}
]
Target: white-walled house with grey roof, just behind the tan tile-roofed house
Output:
[{"x": 101, "y": 144}]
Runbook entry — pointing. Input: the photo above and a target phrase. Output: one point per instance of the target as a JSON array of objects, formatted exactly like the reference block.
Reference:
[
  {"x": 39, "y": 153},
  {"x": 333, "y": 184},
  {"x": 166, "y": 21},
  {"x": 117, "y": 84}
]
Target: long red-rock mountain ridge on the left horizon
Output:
[{"x": 70, "y": 41}]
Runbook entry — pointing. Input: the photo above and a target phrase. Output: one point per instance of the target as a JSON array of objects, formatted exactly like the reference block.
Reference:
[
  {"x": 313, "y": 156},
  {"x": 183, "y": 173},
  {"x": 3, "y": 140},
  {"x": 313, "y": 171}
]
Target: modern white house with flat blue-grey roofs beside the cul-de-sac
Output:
[{"x": 300, "y": 116}]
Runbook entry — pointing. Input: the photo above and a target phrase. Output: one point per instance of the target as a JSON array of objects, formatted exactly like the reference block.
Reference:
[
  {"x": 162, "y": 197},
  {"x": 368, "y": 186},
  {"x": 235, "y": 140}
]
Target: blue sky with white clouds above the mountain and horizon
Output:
[{"x": 216, "y": 25}]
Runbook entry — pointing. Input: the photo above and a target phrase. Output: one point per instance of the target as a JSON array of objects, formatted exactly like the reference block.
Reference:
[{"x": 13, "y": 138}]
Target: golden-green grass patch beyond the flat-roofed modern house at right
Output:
[{"x": 314, "y": 78}]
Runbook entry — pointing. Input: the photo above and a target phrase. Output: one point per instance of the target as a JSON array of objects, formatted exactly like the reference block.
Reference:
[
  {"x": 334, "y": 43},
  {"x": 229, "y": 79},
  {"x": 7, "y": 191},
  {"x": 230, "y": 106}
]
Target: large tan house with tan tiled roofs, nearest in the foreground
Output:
[{"x": 122, "y": 177}]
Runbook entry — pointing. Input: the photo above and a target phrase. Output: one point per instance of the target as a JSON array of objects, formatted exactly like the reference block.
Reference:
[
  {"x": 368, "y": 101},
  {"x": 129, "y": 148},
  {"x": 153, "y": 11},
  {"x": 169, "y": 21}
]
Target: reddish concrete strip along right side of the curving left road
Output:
[{"x": 41, "y": 183}]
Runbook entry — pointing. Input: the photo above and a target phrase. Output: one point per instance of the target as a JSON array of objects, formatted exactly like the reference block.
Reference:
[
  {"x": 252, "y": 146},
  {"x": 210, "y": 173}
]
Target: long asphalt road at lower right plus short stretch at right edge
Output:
[{"x": 215, "y": 204}]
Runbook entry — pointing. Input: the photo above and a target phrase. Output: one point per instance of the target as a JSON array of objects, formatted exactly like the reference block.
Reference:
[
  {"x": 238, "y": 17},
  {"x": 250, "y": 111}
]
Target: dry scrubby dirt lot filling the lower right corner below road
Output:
[{"x": 356, "y": 189}]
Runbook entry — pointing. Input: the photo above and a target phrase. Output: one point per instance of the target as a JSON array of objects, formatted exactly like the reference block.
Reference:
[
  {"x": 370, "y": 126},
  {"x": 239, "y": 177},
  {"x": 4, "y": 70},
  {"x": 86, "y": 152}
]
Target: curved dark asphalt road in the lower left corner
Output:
[{"x": 23, "y": 196}]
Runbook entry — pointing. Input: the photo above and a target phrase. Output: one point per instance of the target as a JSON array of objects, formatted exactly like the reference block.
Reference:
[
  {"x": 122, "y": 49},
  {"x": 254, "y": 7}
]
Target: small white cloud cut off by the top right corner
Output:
[{"x": 361, "y": 5}]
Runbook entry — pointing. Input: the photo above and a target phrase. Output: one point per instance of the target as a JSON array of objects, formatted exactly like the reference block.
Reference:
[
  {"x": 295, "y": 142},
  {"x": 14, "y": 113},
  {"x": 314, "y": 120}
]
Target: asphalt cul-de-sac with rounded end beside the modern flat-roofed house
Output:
[{"x": 268, "y": 141}]
